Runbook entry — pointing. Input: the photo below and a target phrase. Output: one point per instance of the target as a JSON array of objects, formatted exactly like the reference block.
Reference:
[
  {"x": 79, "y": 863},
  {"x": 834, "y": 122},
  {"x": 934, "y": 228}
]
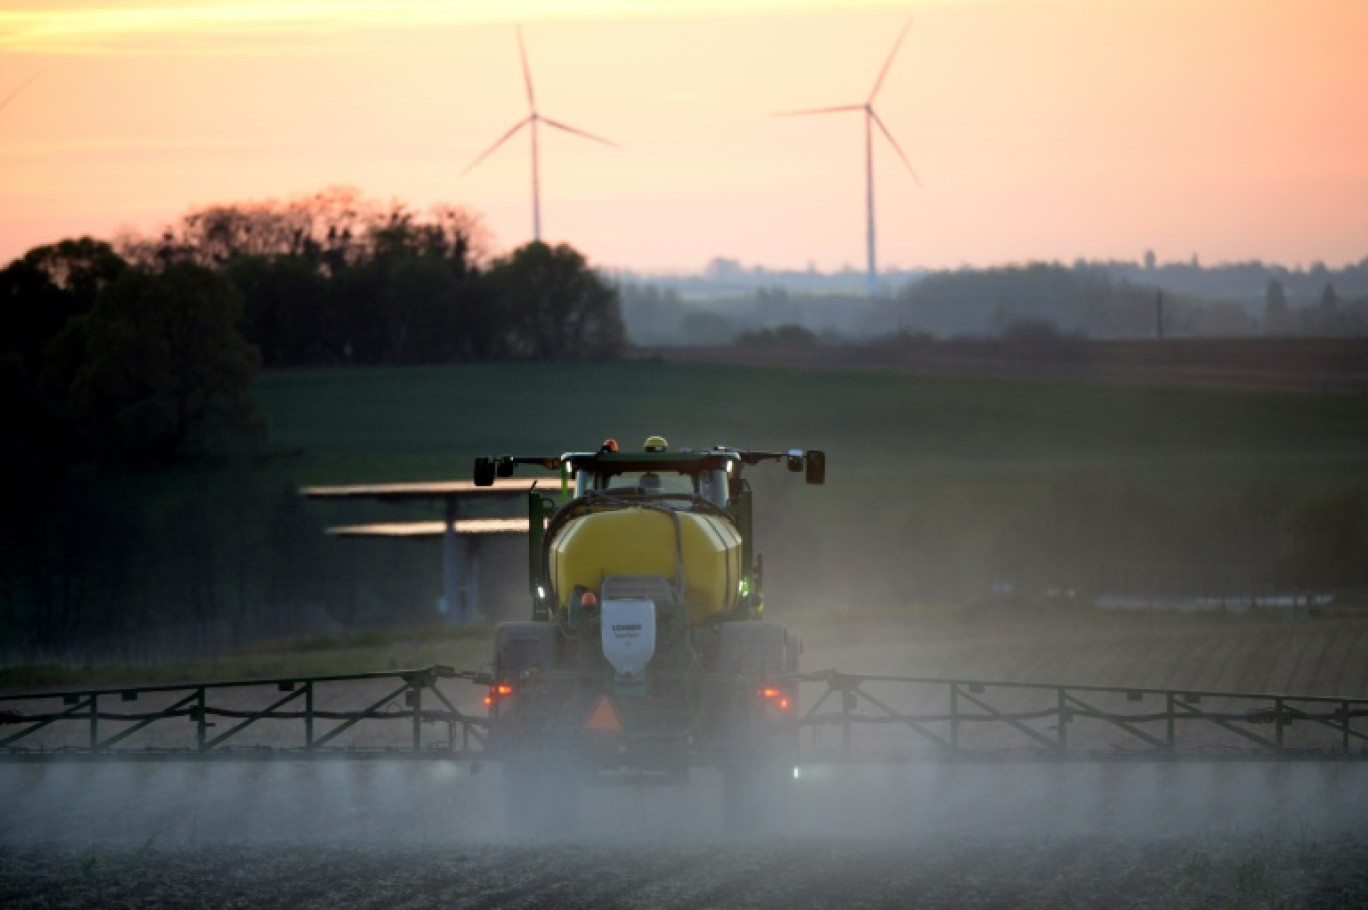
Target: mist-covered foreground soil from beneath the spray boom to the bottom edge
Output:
[{"x": 924, "y": 835}]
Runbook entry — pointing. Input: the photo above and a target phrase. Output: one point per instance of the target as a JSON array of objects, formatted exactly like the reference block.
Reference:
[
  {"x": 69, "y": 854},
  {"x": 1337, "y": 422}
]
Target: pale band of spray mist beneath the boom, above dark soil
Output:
[{"x": 408, "y": 805}]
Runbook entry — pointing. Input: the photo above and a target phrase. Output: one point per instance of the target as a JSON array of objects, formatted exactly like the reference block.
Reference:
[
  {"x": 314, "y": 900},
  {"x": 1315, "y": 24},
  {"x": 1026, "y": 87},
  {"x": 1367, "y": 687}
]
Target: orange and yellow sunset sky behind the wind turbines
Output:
[{"x": 1040, "y": 129}]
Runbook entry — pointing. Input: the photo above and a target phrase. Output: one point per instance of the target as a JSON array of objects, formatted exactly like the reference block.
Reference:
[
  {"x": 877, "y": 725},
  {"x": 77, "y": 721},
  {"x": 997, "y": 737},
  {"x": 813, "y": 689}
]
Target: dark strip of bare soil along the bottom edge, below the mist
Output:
[{"x": 951, "y": 872}]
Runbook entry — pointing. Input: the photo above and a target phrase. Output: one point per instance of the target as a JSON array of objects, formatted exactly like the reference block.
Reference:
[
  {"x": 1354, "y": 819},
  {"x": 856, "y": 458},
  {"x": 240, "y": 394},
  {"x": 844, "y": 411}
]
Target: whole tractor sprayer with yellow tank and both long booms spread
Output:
[{"x": 649, "y": 653}]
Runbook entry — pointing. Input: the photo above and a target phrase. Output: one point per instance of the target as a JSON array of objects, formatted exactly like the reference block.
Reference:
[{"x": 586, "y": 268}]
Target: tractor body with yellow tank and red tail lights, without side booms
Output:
[{"x": 648, "y": 652}]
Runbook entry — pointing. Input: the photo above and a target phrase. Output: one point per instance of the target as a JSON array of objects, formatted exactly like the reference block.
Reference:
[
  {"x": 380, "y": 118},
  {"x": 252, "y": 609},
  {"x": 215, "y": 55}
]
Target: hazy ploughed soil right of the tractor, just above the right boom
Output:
[{"x": 1254, "y": 652}]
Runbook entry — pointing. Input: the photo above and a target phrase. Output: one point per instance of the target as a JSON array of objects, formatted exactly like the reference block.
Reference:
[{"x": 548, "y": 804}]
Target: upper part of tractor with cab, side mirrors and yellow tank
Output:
[{"x": 661, "y": 525}]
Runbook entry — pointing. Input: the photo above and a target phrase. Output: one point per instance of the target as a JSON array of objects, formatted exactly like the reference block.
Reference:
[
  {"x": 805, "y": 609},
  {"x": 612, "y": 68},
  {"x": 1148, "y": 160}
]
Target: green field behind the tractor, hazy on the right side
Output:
[{"x": 921, "y": 469}]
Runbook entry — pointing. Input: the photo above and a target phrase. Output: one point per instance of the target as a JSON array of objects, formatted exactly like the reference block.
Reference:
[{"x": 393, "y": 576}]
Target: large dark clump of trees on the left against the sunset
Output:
[{"x": 148, "y": 347}]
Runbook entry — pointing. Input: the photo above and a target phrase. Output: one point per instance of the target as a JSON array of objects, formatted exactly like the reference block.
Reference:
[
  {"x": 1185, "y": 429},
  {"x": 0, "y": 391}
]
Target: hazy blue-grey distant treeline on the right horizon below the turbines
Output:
[{"x": 1101, "y": 302}]
